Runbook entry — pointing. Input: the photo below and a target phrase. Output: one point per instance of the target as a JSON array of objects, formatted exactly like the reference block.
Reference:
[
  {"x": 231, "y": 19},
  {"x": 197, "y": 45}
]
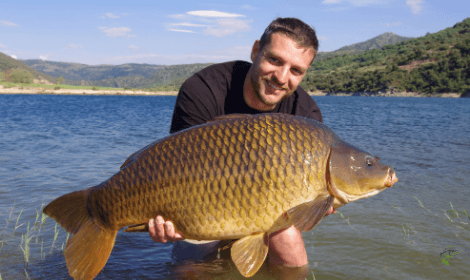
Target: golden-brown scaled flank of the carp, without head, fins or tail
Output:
[{"x": 187, "y": 162}]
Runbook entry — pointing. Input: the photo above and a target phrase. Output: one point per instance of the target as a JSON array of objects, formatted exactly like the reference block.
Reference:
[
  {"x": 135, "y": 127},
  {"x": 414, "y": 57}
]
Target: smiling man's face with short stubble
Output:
[{"x": 277, "y": 70}]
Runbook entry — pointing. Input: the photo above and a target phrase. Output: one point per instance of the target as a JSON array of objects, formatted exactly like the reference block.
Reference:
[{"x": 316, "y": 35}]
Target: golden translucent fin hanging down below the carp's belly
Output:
[{"x": 249, "y": 253}]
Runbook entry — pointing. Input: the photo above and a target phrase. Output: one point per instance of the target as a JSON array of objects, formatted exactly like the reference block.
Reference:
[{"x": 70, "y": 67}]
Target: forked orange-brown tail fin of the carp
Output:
[{"x": 88, "y": 250}]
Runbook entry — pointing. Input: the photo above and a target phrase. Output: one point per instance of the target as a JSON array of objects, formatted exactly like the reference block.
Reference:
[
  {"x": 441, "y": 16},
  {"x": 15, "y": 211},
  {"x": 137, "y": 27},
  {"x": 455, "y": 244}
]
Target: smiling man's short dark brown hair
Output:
[{"x": 297, "y": 30}]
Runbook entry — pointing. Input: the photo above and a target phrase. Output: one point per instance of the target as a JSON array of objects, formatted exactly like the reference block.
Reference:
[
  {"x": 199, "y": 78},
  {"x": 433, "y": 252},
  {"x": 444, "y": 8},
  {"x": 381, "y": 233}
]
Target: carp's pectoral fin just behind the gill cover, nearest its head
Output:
[{"x": 307, "y": 215}]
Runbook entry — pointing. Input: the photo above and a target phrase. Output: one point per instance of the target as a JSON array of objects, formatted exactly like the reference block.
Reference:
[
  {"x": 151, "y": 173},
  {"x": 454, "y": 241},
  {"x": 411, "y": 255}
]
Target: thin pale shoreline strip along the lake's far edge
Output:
[{"x": 38, "y": 90}]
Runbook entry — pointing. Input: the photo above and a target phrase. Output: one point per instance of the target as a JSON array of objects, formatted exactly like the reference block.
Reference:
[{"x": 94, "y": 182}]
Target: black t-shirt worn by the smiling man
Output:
[{"x": 218, "y": 90}]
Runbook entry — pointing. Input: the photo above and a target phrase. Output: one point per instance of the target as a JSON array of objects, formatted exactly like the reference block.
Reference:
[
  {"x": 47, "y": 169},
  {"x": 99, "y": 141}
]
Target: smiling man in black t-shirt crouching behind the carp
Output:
[{"x": 270, "y": 85}]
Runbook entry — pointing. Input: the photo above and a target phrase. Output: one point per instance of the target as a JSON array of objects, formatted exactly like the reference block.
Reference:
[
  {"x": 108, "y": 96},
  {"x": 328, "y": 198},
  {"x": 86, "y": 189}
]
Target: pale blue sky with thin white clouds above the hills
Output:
[{"x": 181, "y": 32}]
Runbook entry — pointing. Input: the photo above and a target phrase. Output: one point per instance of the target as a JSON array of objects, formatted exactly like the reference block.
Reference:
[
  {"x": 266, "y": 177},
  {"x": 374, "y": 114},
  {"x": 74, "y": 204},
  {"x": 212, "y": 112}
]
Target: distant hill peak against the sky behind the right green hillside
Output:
[{"x": 378, "y": 42}]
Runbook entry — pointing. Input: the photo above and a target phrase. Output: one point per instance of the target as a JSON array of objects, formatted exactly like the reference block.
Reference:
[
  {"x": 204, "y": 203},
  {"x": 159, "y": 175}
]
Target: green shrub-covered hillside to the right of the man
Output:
[{"x": 435, "y": 63}]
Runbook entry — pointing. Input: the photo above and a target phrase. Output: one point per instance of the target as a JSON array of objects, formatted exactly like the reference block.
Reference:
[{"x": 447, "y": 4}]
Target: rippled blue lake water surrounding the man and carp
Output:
[{"x": 52, "y": 145}]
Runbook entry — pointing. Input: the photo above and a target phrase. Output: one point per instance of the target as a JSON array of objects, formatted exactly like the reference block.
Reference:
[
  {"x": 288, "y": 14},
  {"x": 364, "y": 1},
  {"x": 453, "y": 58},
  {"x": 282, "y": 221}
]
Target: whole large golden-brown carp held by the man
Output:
[{"x": 242, "y": 177}]
